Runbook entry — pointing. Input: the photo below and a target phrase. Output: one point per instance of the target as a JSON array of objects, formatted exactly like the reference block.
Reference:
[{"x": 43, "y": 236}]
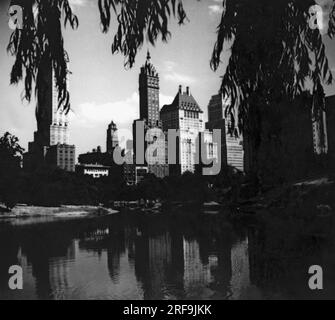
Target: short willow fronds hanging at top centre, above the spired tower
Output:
[{"x": 138, "y": 19}]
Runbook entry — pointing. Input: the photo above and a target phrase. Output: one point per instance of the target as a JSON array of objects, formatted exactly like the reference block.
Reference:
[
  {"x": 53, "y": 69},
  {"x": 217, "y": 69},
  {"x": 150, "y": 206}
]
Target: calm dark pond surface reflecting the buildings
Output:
[{"x": 129, "y": 256}]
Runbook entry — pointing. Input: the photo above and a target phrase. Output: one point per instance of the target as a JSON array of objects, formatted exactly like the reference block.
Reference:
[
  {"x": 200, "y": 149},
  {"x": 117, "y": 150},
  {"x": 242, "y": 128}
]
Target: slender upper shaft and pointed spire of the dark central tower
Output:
[{"x": 149, "y": 93}]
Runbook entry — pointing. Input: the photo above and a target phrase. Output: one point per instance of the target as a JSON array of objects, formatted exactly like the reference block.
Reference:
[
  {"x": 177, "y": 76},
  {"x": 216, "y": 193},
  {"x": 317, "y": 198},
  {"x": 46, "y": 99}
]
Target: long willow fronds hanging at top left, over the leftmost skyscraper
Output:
[{"x": 40, "y": 41}]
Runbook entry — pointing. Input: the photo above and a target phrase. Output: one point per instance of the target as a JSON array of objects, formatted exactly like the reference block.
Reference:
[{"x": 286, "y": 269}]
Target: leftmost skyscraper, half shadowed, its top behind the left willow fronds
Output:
[{"x": 51, "y": 140}]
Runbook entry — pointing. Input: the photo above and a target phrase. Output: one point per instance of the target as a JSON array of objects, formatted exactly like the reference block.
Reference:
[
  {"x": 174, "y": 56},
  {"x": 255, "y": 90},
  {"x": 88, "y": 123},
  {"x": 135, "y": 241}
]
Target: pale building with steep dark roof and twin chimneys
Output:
[{"x": 185, "y": 115}]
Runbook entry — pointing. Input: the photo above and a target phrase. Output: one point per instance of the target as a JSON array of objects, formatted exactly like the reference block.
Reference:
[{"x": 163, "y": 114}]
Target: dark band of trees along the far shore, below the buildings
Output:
[{"x": 53, "y": 187}]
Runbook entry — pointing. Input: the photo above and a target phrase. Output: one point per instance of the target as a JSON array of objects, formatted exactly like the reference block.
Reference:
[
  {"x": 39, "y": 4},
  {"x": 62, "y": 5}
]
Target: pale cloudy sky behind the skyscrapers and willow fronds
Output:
[{"x": 101, "y": 88}]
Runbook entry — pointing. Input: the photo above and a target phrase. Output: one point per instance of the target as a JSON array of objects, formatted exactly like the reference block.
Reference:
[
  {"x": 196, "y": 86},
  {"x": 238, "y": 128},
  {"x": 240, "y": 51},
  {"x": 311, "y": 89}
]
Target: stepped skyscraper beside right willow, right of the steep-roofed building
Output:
[{"x": 233, "y": 144}]
